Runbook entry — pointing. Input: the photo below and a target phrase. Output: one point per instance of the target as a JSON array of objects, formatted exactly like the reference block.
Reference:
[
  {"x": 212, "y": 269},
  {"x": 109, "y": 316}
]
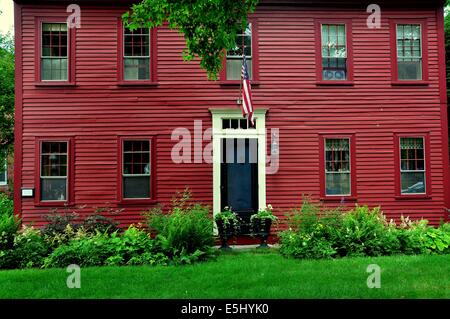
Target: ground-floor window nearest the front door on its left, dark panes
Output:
[{"x": 136, "y": 169}]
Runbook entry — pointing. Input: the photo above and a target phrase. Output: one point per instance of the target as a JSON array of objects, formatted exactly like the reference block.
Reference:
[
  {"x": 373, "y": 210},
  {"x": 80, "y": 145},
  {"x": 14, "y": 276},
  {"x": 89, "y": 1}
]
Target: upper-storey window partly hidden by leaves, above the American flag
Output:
[{"x": 235, "y": 56}]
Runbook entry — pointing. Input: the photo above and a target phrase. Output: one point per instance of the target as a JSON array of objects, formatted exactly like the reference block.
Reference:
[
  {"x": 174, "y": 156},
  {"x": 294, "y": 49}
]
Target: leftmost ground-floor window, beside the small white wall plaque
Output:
[{"x": 54, "y": 159}]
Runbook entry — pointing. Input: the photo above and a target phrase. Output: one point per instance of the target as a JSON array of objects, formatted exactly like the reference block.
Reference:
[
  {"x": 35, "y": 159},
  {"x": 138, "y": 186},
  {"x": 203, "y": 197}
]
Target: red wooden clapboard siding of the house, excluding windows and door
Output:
[{"x": 97, "y": 111}]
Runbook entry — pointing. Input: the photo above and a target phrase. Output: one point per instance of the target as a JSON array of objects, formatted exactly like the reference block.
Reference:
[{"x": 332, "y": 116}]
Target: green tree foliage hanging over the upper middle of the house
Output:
[{"x": 209, "y": 26}]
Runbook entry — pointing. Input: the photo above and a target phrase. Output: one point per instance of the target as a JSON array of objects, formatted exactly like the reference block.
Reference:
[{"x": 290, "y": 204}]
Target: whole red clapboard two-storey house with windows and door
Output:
[{"x": 347, "y": 112}]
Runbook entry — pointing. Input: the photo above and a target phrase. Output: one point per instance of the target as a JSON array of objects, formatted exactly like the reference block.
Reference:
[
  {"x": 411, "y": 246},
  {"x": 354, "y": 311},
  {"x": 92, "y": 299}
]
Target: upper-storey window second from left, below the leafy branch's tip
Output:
[{"x": 136, "y": 54}]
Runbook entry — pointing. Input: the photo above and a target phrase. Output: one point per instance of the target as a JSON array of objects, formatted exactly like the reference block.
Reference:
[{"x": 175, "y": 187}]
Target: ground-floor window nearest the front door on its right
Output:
[{"x": 337, "y": 167}]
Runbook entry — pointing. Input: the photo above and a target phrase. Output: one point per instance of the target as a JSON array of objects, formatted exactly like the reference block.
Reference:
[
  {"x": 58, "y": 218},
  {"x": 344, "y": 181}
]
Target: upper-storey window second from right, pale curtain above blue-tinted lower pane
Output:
[{"x": 334, "y": 52}]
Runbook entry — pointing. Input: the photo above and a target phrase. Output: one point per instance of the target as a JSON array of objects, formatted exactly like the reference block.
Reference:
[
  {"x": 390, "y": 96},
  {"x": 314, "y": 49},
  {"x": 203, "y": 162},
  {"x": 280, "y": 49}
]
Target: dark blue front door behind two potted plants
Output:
[{"x": 239, "y": 176}]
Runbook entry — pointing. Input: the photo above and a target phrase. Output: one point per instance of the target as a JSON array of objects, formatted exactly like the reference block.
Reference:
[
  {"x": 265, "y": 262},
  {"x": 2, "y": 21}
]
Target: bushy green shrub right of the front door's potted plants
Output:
[{"x": 315, "y": 232}]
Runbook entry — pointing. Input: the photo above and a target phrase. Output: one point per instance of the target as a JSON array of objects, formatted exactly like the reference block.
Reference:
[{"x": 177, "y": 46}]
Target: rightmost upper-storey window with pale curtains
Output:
[{"x": 409, "y": 51}]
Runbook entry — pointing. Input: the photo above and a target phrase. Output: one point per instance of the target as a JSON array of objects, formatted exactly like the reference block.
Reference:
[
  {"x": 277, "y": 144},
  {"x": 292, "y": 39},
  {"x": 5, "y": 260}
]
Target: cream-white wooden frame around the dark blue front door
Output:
[{"x": 218, "y": 134}]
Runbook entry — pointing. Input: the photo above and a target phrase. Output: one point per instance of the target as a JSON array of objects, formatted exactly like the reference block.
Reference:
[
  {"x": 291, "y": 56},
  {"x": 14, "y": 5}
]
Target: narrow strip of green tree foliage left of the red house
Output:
[{"x": 6, "y": 93}]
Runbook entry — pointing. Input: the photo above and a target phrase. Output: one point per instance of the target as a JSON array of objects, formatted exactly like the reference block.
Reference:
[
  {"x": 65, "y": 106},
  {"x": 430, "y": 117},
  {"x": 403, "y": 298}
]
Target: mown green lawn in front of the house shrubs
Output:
[{"x": 243, "y": 275}]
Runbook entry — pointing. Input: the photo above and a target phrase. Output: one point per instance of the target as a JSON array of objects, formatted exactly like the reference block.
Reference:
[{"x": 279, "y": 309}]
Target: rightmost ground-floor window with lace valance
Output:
[{"x": 412, "y": 165}]
